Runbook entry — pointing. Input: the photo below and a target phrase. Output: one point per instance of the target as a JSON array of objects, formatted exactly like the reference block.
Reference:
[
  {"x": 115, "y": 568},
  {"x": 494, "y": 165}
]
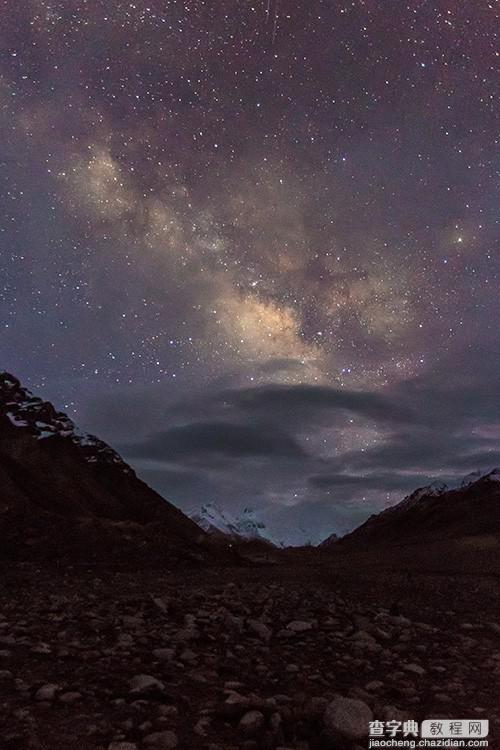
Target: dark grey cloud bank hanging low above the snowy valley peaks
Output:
[{"x": 305, "y": 451}]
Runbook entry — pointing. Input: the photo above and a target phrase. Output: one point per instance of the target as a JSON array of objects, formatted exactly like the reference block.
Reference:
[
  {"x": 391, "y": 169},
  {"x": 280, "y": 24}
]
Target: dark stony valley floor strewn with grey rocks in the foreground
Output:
[{"x": 239, "y": 659}]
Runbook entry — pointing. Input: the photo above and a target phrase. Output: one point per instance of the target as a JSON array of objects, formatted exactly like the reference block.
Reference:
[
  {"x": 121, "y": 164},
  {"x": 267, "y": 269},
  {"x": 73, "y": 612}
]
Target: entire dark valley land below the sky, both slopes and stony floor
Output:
[{"x": 125, "y": 625}]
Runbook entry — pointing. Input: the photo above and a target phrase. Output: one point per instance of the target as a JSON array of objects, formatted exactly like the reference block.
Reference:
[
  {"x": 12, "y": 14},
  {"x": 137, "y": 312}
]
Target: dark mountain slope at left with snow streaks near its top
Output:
[{"x": 67, "y": 493}]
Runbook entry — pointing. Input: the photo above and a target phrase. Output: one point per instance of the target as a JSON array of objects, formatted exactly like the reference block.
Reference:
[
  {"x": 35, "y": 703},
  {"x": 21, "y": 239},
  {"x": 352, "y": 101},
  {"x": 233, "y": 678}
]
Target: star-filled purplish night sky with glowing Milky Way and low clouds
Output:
[{"x": 255, "y": 245}]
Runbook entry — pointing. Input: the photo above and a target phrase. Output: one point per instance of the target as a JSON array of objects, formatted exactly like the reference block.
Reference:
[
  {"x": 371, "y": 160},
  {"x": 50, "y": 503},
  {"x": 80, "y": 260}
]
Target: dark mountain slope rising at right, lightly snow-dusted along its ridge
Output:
[{"x": 434, "y": 529}]
